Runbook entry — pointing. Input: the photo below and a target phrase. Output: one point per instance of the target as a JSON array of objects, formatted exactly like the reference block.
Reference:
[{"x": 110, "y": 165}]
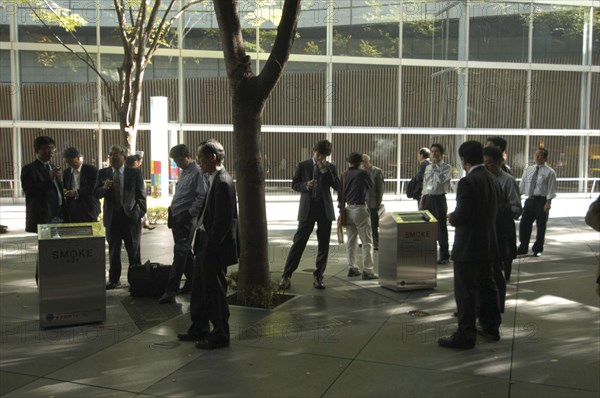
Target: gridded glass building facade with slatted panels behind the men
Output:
[{"x": 379, "y": 76}]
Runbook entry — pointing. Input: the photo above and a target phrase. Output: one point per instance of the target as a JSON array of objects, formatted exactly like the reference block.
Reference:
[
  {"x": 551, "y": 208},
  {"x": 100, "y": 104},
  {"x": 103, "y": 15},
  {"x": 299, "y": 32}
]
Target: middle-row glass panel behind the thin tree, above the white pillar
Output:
[{"x": 160, "y": 79}]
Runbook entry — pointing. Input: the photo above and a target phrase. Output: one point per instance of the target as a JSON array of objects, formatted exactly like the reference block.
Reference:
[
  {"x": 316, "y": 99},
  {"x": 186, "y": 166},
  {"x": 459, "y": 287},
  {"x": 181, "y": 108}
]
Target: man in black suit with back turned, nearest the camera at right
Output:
[{"x": 475, "y": 248}]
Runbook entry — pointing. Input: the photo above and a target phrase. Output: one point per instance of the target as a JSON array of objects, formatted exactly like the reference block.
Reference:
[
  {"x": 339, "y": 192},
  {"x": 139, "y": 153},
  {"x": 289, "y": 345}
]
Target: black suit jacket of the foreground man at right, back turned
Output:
[{"x": 477, "y": 199}]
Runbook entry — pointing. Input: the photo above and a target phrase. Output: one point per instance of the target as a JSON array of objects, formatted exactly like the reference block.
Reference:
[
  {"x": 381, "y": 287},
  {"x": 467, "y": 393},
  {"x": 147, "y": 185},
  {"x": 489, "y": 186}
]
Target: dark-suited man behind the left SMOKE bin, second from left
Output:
[{"x": 79, "y": 181}]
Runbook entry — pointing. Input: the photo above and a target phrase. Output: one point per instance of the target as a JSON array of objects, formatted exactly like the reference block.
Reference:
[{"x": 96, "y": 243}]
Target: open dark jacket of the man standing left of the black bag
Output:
[{"x": 134, "y": 194}]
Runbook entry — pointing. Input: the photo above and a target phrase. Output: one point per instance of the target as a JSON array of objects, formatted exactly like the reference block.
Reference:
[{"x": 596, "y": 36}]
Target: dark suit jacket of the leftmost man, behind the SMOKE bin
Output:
[{"x": 41, "y": 195}]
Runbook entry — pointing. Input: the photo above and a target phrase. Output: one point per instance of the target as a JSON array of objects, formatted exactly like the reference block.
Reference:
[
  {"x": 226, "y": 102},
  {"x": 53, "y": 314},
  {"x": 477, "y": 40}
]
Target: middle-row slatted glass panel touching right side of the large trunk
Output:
[{"x": 299, "y": 98}]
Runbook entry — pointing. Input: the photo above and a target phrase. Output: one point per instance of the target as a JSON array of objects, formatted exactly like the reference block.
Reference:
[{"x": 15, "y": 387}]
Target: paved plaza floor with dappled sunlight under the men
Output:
[{"x": 353, "y": 339}]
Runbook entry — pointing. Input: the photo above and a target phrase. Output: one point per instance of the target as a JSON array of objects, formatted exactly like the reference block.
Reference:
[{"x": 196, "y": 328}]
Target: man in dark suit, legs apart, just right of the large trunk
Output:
[{"x": 314, "y": 179}]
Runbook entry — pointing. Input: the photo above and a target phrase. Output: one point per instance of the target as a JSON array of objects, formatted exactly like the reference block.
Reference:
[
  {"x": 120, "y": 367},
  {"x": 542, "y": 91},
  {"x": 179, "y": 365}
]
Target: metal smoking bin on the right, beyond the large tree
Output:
[{"x": 408, "y": 250}]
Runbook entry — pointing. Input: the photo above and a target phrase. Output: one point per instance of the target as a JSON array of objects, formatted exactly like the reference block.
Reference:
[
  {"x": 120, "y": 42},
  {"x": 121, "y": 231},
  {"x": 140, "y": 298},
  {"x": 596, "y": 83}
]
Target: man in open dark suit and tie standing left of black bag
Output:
[{"x": 124, "y": 194}]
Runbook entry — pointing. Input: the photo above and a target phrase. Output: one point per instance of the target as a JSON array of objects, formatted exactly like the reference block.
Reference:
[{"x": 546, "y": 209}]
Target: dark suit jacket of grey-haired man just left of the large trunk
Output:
[{"x": 221, "y": 222}]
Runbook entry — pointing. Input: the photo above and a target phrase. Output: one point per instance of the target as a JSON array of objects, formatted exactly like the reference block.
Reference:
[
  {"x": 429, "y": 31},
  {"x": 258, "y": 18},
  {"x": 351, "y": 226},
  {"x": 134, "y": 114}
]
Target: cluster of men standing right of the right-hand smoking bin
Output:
[{"x": 487, "y": 203}]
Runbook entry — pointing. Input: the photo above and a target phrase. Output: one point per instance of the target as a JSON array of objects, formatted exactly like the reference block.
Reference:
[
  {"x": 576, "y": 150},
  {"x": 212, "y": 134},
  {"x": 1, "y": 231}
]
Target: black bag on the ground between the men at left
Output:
[{"x": 148, "y": 280}]
